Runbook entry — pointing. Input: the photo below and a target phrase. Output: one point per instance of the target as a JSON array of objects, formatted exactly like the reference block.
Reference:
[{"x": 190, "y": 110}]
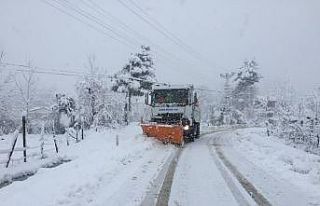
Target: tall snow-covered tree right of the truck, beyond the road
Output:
[{"x": 239, "y": 97}]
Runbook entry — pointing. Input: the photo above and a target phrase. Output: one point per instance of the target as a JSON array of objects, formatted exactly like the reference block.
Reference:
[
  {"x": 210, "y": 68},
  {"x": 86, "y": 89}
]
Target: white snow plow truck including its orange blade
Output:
[{"x": 175, "y": 114}]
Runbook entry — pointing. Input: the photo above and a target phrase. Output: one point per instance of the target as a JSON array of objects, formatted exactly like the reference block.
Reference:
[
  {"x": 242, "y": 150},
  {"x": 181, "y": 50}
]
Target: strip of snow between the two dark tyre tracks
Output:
[{"x": 200, "y": 179}]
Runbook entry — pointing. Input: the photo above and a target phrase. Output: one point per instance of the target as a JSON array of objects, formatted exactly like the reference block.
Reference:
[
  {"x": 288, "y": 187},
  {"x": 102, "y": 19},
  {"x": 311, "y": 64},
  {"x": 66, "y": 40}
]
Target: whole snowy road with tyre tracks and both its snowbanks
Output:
[{"x": 230, "y": 167}]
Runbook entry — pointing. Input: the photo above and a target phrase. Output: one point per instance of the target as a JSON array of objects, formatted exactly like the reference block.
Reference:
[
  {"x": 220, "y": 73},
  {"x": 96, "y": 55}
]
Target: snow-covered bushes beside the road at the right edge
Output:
[{"x": 296, "y": 120}]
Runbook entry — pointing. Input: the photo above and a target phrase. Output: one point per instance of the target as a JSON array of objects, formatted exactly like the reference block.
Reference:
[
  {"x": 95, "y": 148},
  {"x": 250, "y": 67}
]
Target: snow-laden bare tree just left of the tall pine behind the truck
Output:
[{"x": 98, "y": 105}]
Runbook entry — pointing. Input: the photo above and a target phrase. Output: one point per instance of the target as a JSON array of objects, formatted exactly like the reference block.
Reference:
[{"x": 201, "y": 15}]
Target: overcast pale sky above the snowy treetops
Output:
[{"x": 282, "y": 35}]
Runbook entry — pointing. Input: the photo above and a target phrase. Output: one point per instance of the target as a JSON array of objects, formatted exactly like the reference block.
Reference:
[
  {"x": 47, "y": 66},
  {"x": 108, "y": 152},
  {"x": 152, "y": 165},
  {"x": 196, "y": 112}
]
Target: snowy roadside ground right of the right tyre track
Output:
[{"x": 283, "y": 174}]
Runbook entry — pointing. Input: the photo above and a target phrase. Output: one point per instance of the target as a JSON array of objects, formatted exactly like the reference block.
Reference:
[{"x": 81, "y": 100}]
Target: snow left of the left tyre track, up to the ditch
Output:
[{"x": 99, "y": 173}]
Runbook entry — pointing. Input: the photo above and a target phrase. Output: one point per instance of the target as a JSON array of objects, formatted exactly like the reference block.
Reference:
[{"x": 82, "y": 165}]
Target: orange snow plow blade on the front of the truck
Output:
[{"x": 164, "y": 133}]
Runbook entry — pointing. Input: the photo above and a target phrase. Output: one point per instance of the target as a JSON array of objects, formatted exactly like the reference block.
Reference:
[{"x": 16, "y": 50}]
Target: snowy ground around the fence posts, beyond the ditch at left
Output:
[{"x": 35, "y": 158}]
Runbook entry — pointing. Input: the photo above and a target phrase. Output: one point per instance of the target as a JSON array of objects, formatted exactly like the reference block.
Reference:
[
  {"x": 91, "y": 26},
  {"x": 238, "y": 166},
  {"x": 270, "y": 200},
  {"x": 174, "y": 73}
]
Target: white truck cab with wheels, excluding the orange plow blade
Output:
[{"x": 176, "y": 105}]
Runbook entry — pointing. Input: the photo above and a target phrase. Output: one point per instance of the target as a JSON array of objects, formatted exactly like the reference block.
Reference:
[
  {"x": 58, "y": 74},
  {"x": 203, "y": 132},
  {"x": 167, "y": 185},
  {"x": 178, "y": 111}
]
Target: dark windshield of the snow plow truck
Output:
[{"x": 178, "y": 96}]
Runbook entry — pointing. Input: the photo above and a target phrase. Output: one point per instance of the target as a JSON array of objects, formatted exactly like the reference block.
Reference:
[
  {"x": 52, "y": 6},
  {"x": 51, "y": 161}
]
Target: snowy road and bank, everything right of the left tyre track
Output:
[{"x": 244, "y": 167}]
